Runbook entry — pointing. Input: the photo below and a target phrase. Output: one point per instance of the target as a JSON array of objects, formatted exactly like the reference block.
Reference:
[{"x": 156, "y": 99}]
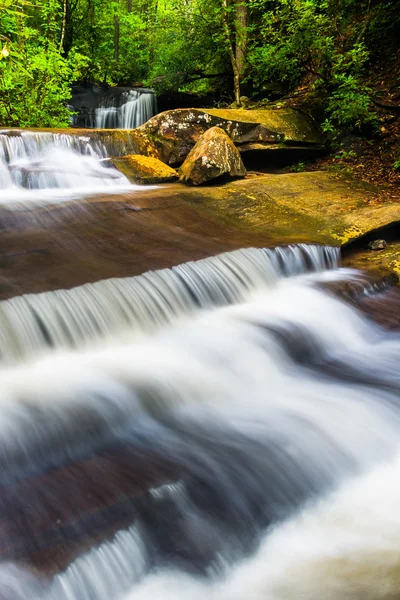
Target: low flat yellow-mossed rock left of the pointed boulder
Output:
[{"x": 144, "y": 169}]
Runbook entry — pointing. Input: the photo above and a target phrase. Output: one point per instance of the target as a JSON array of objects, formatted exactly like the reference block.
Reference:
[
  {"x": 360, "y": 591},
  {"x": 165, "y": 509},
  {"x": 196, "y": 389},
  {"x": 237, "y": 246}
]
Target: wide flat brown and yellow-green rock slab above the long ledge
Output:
[{"x": 71, "y": 243}]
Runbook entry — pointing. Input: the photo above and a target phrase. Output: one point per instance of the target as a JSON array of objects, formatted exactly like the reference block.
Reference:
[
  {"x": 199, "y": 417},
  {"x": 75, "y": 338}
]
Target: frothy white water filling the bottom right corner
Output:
[{"x": 345, "y": 547}]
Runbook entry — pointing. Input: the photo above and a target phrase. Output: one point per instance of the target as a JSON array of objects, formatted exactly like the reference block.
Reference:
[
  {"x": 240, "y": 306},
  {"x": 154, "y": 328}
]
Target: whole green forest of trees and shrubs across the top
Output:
[{"x": 238, "y": 51}]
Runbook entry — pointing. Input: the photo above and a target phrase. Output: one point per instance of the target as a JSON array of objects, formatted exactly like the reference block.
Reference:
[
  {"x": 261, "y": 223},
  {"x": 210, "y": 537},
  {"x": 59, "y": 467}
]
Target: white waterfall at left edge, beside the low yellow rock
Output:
[{"x": 48, "y": 161}]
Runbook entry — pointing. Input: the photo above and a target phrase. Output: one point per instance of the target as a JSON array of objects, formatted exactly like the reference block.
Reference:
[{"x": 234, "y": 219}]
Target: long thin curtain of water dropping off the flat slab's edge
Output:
[{"x": 70, "y": 318}]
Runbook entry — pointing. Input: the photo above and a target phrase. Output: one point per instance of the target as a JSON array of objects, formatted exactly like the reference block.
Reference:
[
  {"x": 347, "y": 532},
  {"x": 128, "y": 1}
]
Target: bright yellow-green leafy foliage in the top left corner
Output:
[{"x": 34, "y": 78}]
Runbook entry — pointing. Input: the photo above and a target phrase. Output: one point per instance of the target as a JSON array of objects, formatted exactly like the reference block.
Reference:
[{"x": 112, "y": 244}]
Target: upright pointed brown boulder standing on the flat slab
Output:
[{"x": 213, "y": 156}]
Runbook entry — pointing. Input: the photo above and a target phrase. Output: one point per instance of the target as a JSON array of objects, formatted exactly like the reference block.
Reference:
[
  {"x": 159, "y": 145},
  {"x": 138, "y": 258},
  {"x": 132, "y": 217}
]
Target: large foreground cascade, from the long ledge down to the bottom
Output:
[{"x": 224, "y": 429}]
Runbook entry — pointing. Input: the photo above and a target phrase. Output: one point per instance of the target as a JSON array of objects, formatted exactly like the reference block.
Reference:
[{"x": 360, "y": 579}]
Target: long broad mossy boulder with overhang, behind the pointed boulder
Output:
[{"x": 175, "y": 132}]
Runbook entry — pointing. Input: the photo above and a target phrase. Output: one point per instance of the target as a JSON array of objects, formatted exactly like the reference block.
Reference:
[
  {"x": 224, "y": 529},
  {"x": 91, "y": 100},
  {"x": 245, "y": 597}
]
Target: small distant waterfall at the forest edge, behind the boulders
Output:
[{"x": 136, "y": 108}]
